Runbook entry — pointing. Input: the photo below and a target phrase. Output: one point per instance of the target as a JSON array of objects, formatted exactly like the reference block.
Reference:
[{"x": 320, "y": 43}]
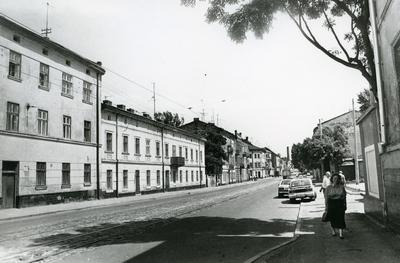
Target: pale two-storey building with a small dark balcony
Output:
[{"x": 140, "y": 155}]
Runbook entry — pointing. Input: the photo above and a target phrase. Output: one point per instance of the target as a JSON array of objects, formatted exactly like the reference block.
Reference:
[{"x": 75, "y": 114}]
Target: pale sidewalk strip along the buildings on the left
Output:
[{"x": 14, "y": 213}]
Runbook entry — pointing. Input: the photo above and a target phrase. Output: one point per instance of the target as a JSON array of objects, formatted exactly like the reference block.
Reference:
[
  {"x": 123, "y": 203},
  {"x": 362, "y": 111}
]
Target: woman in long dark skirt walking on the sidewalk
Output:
[{"x": 335, "y": 205}]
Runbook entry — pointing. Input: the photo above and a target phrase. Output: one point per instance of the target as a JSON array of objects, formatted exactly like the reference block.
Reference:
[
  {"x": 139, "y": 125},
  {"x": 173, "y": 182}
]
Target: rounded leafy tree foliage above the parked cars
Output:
[{"x": 331, "y": 146}]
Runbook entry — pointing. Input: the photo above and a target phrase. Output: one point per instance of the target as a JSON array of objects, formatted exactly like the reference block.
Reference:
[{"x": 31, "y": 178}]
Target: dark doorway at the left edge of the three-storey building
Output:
[{"x": 9, "y": 181}]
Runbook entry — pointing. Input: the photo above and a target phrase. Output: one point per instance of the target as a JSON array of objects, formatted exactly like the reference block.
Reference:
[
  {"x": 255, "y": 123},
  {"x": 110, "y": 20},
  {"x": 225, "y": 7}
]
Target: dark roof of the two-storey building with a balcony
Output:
[{"x": 149, "y": 121}]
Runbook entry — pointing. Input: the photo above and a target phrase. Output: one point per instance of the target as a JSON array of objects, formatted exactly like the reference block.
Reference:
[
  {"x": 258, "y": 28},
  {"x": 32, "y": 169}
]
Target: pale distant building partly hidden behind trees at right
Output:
[{"x": 345, "y": 121}]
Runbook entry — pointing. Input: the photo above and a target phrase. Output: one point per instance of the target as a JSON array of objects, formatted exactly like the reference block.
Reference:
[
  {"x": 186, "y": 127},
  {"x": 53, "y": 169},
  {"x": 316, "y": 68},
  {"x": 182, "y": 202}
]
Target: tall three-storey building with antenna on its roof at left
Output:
[{"x": 48, "y": 118}]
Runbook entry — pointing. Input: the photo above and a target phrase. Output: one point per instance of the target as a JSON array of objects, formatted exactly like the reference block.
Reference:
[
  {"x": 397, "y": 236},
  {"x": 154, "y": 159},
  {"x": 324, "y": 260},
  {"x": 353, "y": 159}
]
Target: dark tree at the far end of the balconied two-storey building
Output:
[{"x": 214, "y": 152}]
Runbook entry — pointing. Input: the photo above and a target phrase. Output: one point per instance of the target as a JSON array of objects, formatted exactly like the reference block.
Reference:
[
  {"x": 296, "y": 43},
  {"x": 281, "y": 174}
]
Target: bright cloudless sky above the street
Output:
[{"x": 272, "y": 90}]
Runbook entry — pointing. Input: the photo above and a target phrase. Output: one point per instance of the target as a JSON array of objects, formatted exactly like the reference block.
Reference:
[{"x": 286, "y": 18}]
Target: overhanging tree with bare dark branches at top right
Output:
[{"x": 354, "y": 48}]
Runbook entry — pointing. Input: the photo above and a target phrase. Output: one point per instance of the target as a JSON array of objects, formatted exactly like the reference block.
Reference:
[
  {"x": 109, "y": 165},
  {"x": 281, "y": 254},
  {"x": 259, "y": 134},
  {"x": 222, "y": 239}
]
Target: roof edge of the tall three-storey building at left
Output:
[{"x": 49, "y": 43}]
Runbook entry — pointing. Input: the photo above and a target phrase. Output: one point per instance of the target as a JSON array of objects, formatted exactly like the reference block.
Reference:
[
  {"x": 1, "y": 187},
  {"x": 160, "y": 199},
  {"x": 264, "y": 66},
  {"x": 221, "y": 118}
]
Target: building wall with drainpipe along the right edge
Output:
[{"x": 383, "y": 158}]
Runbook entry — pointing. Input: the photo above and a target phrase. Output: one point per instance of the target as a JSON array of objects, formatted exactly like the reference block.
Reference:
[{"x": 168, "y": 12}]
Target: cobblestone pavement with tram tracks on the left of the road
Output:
[{"x": 51, "y": 237}]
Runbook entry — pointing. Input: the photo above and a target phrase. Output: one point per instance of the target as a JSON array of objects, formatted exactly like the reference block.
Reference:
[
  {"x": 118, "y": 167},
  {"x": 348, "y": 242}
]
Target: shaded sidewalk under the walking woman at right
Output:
[{"x": 363, "y": 242}]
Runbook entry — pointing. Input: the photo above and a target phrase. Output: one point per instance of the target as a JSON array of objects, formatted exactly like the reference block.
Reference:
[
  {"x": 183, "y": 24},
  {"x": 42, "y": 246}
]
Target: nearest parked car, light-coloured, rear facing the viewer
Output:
[{"x": 301, "y": 188}]
